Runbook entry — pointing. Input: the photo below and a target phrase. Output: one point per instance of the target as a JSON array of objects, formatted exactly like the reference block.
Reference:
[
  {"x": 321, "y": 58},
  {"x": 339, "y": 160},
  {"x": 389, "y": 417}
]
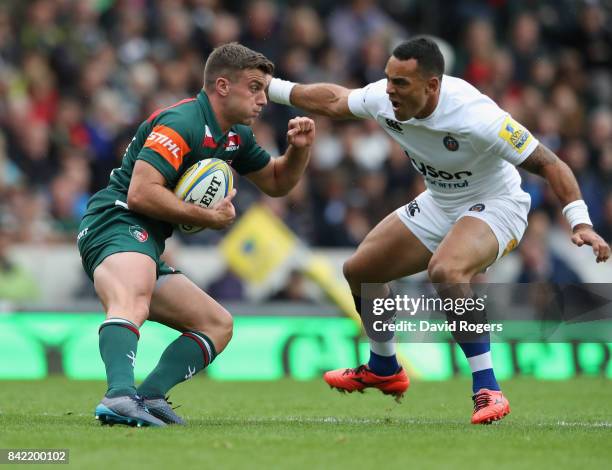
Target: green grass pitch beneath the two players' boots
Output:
[{"x": 298, "y": 425}]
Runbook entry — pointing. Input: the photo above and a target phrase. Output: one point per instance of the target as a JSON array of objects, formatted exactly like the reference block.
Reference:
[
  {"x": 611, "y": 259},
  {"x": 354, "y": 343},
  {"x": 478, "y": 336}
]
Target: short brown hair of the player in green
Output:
[{"x": 231, "y": 58}]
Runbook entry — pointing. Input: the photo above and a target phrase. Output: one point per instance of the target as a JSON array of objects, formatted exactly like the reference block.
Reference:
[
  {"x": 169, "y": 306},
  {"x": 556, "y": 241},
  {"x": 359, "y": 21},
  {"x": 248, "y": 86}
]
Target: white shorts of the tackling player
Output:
[{"x": 506, "y": 215}]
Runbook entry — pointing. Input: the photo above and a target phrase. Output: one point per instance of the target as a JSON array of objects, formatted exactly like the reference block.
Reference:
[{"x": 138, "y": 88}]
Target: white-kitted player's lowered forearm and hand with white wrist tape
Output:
[{"x": 545, "y": 163}]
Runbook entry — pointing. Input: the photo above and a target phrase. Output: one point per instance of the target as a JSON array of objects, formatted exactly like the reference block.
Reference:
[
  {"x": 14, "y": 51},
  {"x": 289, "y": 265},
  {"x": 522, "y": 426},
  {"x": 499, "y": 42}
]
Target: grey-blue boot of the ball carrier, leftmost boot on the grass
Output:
[{"x": 128, "y": 410}]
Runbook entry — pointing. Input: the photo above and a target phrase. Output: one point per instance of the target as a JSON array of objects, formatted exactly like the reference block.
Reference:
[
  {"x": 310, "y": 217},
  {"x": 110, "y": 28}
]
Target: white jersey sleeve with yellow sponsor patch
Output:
[{"x": 495, "y": 132}]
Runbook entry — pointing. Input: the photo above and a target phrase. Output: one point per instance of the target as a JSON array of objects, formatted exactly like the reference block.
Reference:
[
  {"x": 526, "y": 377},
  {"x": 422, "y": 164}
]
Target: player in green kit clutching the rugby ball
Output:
[{"x": 123, "y": 232}]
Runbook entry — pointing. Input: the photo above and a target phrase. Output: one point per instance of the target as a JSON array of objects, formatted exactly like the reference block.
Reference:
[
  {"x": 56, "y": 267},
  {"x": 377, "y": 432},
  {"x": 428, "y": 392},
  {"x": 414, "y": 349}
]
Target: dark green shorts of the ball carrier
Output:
[{"x": 116, "y": 230}]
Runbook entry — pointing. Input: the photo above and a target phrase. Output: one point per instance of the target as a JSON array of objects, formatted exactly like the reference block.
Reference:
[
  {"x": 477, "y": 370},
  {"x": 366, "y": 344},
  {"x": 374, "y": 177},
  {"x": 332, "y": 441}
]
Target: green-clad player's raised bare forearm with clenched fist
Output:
[{"x": 281, "y": 174}]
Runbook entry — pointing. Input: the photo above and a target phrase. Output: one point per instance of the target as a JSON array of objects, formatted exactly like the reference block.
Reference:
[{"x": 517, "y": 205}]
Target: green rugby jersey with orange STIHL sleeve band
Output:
[{"x": 174, "y": 138}]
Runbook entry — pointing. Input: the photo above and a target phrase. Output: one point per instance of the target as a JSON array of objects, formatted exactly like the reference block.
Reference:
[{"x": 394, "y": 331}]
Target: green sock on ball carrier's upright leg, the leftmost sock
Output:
[{"x": 118, "y": 346}]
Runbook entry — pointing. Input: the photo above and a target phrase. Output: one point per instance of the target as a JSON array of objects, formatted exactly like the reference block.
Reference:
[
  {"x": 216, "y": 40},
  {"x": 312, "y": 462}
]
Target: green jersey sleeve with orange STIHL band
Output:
[{"x": 167, "y": 145}]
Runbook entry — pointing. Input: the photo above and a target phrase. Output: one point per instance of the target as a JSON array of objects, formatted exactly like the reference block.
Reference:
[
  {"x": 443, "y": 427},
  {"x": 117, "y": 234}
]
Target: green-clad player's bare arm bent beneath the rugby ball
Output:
[{"x": 149, "y": 196}]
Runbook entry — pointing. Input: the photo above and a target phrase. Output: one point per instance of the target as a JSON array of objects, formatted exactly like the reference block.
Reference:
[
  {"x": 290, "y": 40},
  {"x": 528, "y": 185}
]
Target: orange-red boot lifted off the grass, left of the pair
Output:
[{"x": 351, "y": 380}]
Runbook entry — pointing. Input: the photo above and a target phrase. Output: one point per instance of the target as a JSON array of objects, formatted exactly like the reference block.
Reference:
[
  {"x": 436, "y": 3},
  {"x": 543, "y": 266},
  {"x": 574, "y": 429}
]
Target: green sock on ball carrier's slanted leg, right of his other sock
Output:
[{"x": 183, "y": 358}]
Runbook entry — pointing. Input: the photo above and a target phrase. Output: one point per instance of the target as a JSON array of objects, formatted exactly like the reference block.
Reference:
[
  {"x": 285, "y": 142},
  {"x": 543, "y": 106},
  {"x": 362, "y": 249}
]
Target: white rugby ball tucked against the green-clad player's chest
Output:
[{"x": 204, "y": 183}]
